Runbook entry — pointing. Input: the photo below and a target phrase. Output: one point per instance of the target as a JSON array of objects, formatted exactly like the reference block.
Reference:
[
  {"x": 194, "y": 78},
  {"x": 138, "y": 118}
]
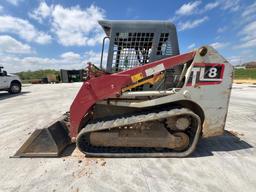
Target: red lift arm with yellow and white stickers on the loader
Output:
[{"x": 105, "y": 86}]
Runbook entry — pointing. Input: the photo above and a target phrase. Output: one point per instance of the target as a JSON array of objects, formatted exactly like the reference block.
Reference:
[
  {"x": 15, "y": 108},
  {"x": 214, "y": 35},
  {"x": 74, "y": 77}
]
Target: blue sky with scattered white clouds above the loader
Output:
[{"x": 41, "y": 34}]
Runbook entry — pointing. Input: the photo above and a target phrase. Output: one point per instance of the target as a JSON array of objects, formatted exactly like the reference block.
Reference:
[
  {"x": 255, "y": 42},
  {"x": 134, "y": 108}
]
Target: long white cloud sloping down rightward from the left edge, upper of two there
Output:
[{"x": 24, "y": 29}]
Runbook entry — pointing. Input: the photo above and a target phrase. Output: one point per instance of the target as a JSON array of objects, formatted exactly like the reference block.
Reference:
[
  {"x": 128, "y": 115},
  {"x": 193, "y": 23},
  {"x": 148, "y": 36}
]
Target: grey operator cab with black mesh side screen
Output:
[{"x": 134, "y": 43}]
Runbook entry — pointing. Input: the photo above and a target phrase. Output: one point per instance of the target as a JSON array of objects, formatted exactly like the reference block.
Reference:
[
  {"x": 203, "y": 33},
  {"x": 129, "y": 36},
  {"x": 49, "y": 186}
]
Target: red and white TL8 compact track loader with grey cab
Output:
[{"x": 148, "y": 100}]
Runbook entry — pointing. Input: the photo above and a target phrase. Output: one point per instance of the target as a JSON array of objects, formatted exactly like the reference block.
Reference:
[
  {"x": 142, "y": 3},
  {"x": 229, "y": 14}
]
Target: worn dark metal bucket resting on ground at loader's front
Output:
[{"x": 46, "y": 142}]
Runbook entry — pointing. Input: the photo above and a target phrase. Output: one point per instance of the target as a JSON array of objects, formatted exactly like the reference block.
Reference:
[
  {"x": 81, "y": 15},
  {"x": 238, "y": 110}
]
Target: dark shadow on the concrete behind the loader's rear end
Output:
[{"x": 225, "y": 143}]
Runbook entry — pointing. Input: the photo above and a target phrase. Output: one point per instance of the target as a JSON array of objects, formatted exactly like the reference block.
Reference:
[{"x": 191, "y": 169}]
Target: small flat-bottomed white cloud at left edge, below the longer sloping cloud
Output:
[{"x": 11, "y": 45}]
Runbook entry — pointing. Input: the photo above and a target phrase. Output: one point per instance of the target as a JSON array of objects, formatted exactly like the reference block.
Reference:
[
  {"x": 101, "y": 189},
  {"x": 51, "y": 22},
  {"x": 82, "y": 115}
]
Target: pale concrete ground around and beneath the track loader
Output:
[{"x": 226, "y": 163}]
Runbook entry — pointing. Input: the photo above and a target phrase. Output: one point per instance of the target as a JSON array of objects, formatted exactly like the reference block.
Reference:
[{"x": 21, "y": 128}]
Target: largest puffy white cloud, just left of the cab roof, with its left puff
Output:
[{"x": 72, "y": 26}]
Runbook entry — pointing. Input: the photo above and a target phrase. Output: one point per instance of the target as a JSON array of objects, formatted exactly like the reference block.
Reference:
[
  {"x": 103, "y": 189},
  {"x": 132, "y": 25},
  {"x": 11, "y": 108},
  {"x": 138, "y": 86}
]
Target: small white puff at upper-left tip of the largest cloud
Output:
[{"x": 41, "y": 12}]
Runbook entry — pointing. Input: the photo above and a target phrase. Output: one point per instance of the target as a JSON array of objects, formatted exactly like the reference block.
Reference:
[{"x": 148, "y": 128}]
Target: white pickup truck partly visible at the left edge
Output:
[{"x": 9, "y": 82}]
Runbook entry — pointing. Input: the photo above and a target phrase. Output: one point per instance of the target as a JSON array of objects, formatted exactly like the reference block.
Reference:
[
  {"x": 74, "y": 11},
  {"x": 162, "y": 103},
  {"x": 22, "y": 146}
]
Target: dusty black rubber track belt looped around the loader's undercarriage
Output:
[{"x": 83, "y": 137}]
